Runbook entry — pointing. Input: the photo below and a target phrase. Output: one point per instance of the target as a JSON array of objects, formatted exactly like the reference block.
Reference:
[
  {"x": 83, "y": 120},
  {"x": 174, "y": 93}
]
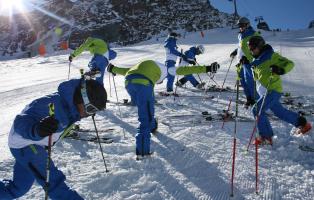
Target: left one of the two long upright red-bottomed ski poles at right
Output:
[{"x": 234, "y": 138}]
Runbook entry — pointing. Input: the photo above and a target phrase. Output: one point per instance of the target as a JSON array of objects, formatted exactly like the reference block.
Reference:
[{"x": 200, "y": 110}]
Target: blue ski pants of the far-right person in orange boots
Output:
[{"x": 272, "y": 102}]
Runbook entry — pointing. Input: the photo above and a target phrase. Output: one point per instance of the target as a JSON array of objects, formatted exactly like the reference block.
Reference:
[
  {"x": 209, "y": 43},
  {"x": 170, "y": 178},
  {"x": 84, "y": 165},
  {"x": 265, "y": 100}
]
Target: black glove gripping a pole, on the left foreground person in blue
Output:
[{"x": 47, "y": 126}]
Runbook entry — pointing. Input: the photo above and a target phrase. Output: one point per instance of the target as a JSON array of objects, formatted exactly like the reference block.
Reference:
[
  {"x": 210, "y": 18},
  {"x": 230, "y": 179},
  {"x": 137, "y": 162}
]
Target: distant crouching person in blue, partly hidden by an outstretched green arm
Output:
[{"x": 190, "y": 56}]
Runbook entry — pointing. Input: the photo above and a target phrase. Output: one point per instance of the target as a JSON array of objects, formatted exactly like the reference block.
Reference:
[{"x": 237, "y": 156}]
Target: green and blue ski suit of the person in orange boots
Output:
[{"x": 271, "y": 85}]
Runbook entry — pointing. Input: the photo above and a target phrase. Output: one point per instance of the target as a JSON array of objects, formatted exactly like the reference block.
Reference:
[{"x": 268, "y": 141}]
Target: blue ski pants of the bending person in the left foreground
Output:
[{"x": 30, "y": 166}]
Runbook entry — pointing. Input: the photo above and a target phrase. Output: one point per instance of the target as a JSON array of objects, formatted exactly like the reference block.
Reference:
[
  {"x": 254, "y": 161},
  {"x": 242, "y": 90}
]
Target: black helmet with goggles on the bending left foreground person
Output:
[{"x": 96, "y": 93}]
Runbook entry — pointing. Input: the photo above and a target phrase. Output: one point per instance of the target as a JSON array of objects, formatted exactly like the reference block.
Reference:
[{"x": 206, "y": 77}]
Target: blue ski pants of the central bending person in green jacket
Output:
[{"x": 143, "y": 97}]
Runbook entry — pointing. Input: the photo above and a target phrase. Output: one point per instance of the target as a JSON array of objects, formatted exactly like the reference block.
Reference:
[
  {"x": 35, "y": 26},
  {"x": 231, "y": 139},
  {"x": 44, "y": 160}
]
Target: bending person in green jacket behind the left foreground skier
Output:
[{"x": 102, "y": 54}]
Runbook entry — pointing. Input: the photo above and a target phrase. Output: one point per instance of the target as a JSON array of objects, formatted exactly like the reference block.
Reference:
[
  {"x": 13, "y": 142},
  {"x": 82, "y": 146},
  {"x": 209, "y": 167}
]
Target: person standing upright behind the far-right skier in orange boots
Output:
[{"x": 243, "y": 54}]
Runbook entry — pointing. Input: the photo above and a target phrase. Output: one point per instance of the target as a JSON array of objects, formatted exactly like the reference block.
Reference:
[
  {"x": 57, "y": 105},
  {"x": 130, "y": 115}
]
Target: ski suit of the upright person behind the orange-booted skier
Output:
[{"x": 244, "y": 71}]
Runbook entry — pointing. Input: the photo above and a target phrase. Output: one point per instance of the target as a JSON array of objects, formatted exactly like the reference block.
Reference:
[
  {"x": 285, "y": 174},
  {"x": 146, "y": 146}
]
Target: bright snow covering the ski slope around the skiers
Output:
[{"x": 192, "y": 158}]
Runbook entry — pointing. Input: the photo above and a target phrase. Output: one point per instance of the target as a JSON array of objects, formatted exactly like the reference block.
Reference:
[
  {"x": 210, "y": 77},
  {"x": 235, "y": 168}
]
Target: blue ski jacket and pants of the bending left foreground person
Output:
[{"x": 28, "y": 148}]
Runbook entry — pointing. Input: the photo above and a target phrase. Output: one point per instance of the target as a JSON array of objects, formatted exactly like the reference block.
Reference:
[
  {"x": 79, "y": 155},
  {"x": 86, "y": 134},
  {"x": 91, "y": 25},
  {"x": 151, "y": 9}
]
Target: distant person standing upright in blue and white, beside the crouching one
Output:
[{"x": 171, "y": 57}]
